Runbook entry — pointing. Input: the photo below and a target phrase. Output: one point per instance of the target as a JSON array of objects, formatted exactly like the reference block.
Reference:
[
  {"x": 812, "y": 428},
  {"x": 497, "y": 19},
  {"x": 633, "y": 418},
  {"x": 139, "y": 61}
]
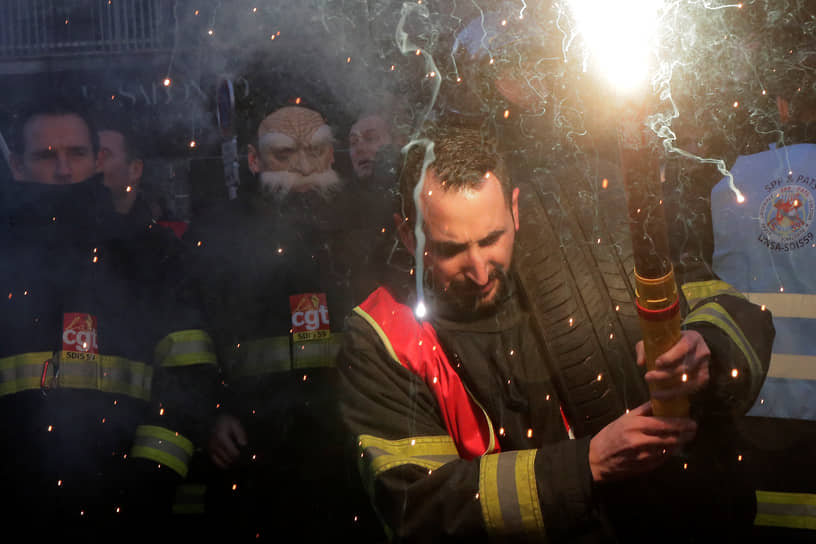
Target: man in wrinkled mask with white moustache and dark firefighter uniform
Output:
[{"x": 275, "y": 279}]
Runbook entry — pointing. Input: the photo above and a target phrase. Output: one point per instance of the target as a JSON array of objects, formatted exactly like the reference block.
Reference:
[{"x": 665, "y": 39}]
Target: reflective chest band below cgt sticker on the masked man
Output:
[{"x": 277, "y": 354}]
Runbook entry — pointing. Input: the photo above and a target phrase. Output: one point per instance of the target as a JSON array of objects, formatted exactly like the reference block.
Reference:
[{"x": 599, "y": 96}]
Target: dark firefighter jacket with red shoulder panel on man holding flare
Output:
[{"x": 464, "y": 428}]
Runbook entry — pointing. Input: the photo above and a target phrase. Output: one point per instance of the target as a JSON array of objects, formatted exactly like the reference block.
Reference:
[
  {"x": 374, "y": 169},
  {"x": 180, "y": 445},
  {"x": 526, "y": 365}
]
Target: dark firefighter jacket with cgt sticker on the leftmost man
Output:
[{"x": 104, "y": 376}]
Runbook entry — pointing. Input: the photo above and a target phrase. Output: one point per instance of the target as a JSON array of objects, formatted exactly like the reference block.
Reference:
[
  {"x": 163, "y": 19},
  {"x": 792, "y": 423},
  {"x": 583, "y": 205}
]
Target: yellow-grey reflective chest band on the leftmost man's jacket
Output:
[{"x": 104, "y": 373}]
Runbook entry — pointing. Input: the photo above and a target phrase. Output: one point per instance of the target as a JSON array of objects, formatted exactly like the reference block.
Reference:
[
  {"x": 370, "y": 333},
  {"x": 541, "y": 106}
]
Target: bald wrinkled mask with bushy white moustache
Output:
[{"x": 295, "y": 153}]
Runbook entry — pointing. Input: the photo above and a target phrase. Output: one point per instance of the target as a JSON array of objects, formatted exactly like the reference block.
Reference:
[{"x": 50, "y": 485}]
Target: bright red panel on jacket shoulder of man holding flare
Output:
[{"x": 417, "y": 348}]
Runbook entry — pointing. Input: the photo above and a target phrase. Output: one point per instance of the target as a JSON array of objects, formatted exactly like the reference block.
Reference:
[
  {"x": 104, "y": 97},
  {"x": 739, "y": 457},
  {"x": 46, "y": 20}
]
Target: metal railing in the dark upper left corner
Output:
[{"x": 34, "y": 28}]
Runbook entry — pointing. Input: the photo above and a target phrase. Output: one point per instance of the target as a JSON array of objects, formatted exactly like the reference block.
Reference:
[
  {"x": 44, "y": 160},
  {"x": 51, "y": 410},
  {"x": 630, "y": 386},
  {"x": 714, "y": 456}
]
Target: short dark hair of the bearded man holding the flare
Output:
[{"x": 461, "y": 156}]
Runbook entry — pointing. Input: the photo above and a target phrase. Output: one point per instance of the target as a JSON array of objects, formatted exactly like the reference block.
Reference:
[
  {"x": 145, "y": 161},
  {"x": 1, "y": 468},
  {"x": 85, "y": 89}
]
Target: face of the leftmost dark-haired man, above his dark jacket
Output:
[{"x": 57, "y": 150}]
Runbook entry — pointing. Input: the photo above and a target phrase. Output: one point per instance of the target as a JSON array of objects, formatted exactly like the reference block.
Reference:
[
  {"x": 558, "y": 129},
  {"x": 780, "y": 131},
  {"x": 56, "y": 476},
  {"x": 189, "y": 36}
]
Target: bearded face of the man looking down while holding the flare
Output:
[{"x": 470, "y": 235}]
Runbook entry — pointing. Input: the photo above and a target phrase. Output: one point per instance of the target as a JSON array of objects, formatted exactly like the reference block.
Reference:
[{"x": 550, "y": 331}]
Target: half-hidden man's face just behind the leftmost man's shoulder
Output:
[{"x": 122, "y": 174}]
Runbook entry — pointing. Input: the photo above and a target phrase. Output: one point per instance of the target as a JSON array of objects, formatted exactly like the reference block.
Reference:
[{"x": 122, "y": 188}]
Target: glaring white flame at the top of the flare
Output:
[{"x": 620, "y": 36}]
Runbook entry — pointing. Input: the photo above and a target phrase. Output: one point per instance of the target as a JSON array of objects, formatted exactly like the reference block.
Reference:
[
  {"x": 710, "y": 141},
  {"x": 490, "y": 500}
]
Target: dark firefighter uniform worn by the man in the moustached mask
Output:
[{"x": 275, "y": 283}]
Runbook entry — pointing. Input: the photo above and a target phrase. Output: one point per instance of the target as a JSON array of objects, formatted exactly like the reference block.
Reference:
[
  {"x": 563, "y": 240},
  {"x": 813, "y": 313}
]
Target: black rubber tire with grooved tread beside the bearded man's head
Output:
[{"x": 563, "y": 279}]
